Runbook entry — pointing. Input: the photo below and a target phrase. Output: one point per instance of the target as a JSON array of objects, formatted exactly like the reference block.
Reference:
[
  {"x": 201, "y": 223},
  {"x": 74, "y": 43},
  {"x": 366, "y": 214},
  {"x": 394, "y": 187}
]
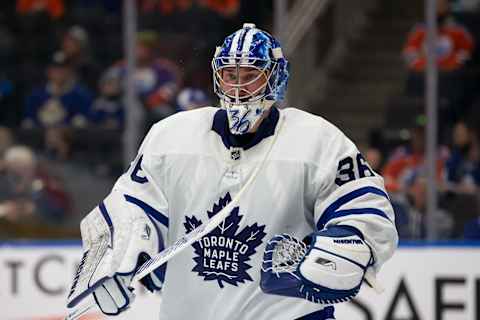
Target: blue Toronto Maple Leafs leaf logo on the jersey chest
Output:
[{"x": 222, "y": 255}]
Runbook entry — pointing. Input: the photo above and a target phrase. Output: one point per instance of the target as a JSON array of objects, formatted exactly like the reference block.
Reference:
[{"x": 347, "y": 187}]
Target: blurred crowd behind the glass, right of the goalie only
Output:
[{"x": 401, "y": 159}]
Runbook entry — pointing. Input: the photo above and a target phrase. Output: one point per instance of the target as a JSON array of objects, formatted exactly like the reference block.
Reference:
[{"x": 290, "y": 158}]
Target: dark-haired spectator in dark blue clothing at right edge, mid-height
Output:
[{"x": 463, "y": 165}]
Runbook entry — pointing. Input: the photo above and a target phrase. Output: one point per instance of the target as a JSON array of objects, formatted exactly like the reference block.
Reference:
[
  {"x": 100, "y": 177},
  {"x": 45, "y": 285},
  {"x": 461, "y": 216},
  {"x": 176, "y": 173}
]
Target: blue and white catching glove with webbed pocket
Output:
[{"x": 327, "y": 267}]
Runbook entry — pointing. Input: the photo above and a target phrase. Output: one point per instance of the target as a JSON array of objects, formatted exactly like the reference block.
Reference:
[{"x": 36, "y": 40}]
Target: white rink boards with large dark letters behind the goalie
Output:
[{"x": 435, "y": 281}]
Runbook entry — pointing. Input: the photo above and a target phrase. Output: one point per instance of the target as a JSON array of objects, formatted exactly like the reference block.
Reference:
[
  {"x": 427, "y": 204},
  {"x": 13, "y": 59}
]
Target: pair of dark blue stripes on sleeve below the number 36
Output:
[{"x": 332, "y": 213}]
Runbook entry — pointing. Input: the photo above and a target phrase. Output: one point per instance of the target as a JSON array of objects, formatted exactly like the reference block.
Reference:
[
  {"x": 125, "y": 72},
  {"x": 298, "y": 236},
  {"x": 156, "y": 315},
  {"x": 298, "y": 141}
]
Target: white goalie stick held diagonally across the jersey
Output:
[{"x": 185, "y": 241}]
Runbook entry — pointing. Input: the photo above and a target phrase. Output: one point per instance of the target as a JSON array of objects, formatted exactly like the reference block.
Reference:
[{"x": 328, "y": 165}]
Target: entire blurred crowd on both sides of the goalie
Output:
[{"x": 62, "y": 106}]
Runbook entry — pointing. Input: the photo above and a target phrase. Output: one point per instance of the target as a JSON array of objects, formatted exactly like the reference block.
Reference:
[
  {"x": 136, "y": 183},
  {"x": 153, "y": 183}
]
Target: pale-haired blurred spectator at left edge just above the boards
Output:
[{"x": 29, "y": 194}]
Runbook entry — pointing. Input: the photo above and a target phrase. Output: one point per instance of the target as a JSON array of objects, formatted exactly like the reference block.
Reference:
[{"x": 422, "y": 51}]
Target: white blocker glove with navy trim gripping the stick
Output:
[{"x": 117, "y": 238}]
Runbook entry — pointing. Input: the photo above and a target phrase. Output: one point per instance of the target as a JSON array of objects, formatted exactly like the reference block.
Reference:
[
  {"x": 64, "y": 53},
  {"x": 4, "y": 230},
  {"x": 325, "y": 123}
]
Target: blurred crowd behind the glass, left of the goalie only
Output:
[{"x": 62, "y": 108}]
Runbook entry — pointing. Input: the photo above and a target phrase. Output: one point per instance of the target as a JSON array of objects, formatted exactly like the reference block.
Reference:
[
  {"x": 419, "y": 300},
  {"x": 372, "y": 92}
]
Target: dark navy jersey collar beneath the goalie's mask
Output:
[{"x": 246, "y": 141}]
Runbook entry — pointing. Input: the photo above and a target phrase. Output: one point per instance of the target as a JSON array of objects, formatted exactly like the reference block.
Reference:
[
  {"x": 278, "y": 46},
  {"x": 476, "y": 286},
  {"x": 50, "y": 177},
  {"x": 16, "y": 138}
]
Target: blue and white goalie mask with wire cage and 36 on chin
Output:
[{"x": 249, "y": 75}]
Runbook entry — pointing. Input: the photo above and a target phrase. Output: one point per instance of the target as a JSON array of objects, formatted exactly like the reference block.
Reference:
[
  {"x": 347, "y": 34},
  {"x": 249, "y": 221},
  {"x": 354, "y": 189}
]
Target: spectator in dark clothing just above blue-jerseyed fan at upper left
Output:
[{"x": 75, "y": 45}]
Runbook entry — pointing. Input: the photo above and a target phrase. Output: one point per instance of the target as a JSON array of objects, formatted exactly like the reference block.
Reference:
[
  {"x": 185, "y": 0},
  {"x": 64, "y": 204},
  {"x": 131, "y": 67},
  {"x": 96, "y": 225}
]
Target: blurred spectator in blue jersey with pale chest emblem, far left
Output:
[{"x": 62, "y": 101}]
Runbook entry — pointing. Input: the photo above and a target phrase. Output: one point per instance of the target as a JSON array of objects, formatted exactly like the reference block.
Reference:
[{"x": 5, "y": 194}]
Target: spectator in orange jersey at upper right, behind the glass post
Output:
[{"x": 453, "y": 48}]
